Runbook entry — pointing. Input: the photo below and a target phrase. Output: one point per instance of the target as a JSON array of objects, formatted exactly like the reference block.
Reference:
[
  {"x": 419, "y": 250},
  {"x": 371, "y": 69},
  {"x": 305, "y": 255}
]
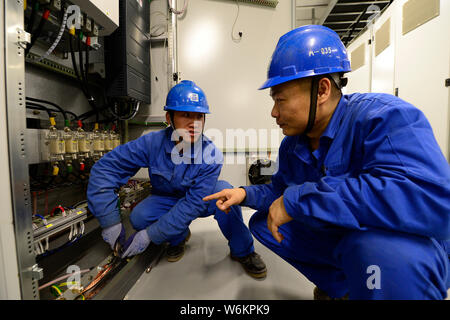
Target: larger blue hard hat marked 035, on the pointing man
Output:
[{"x": 307, "y": 51}]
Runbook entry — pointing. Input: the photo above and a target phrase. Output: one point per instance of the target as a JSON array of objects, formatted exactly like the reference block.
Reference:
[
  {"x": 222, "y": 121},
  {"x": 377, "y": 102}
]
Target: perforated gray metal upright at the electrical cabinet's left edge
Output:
[{"x": 15, "y": 95}]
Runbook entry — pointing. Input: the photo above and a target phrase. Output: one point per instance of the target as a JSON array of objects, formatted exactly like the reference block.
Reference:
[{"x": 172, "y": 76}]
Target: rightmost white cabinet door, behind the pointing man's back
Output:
[{"x": 422, "y": 61}]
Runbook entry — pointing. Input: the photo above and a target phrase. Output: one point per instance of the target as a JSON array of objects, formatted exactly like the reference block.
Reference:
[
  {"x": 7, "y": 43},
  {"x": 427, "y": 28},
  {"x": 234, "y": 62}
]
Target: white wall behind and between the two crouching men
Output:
[{"x": 230, "y": 72}]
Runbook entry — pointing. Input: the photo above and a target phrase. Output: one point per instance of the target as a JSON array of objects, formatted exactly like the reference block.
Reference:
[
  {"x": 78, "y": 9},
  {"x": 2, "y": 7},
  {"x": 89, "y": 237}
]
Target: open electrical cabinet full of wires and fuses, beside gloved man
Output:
[{"x": 76, "y": 75}]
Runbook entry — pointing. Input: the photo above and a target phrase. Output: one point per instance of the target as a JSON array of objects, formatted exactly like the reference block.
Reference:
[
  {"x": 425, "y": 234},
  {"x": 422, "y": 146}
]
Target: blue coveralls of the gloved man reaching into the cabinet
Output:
[{"x": 178, "y": 185}]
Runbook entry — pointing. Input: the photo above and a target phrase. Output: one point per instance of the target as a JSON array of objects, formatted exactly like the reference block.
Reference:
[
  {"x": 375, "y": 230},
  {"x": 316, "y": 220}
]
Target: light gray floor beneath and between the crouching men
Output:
[{"x": 206, "y": 272}]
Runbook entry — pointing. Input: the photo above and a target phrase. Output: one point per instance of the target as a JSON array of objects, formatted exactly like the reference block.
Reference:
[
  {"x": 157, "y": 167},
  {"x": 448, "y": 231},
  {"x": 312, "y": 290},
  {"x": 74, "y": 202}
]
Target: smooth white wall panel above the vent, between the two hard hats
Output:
[{"x": 230, "y": 72}]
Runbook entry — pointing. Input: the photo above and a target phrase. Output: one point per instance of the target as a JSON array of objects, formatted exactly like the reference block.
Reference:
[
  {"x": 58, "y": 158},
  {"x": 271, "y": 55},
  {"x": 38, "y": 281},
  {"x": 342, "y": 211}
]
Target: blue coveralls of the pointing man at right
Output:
[{"x": 371, "y": 206}]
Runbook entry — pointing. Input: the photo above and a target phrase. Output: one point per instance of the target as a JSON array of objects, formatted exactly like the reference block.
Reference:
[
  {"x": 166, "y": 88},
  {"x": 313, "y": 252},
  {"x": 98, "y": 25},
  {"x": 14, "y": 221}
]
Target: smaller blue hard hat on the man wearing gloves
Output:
[{"x": 186, "y": 96}]
